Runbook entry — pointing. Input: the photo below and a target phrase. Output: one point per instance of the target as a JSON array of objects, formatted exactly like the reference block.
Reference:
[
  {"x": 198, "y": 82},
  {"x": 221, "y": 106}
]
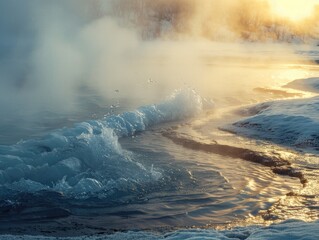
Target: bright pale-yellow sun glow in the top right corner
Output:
[{"x": 295, "y": 10}]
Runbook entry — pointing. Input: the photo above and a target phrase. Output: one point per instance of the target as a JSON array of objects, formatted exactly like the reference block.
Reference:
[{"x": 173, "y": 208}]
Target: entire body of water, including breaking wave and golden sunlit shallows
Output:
[{"x": 118, "y": 171}]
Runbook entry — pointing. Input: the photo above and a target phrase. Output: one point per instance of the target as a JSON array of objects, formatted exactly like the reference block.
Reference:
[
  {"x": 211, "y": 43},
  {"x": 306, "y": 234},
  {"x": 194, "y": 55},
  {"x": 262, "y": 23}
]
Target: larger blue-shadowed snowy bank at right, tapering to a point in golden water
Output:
[{"x": 292, "y": 123}]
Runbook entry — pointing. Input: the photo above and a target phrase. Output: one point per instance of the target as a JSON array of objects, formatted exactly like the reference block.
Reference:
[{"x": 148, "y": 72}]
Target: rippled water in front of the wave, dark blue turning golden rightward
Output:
[{"x": 188, "y": 188}]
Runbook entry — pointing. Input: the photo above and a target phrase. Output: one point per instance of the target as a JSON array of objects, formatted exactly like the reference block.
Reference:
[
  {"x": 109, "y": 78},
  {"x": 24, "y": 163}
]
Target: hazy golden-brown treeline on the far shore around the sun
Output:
[{"x": 221, "y": 20}]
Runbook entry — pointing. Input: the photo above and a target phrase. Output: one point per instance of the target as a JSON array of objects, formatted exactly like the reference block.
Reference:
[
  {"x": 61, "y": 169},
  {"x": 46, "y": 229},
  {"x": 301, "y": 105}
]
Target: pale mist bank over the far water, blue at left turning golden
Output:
[{"x": 52, "y": 50}]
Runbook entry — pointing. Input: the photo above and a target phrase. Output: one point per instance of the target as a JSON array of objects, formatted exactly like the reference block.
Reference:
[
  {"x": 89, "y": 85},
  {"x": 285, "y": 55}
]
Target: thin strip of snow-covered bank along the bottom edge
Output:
[{"x": 284, "y": 231}]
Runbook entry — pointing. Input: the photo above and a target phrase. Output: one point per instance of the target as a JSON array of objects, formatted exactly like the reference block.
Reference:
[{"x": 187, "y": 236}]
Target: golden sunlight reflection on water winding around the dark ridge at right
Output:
[{"x": 301, "y": 203}]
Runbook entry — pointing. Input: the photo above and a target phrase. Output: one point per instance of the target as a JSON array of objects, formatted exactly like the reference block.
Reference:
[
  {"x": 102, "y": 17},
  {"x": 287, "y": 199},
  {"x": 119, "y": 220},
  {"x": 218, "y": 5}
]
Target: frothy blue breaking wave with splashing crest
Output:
[{"x": 88, "y": 158}]
